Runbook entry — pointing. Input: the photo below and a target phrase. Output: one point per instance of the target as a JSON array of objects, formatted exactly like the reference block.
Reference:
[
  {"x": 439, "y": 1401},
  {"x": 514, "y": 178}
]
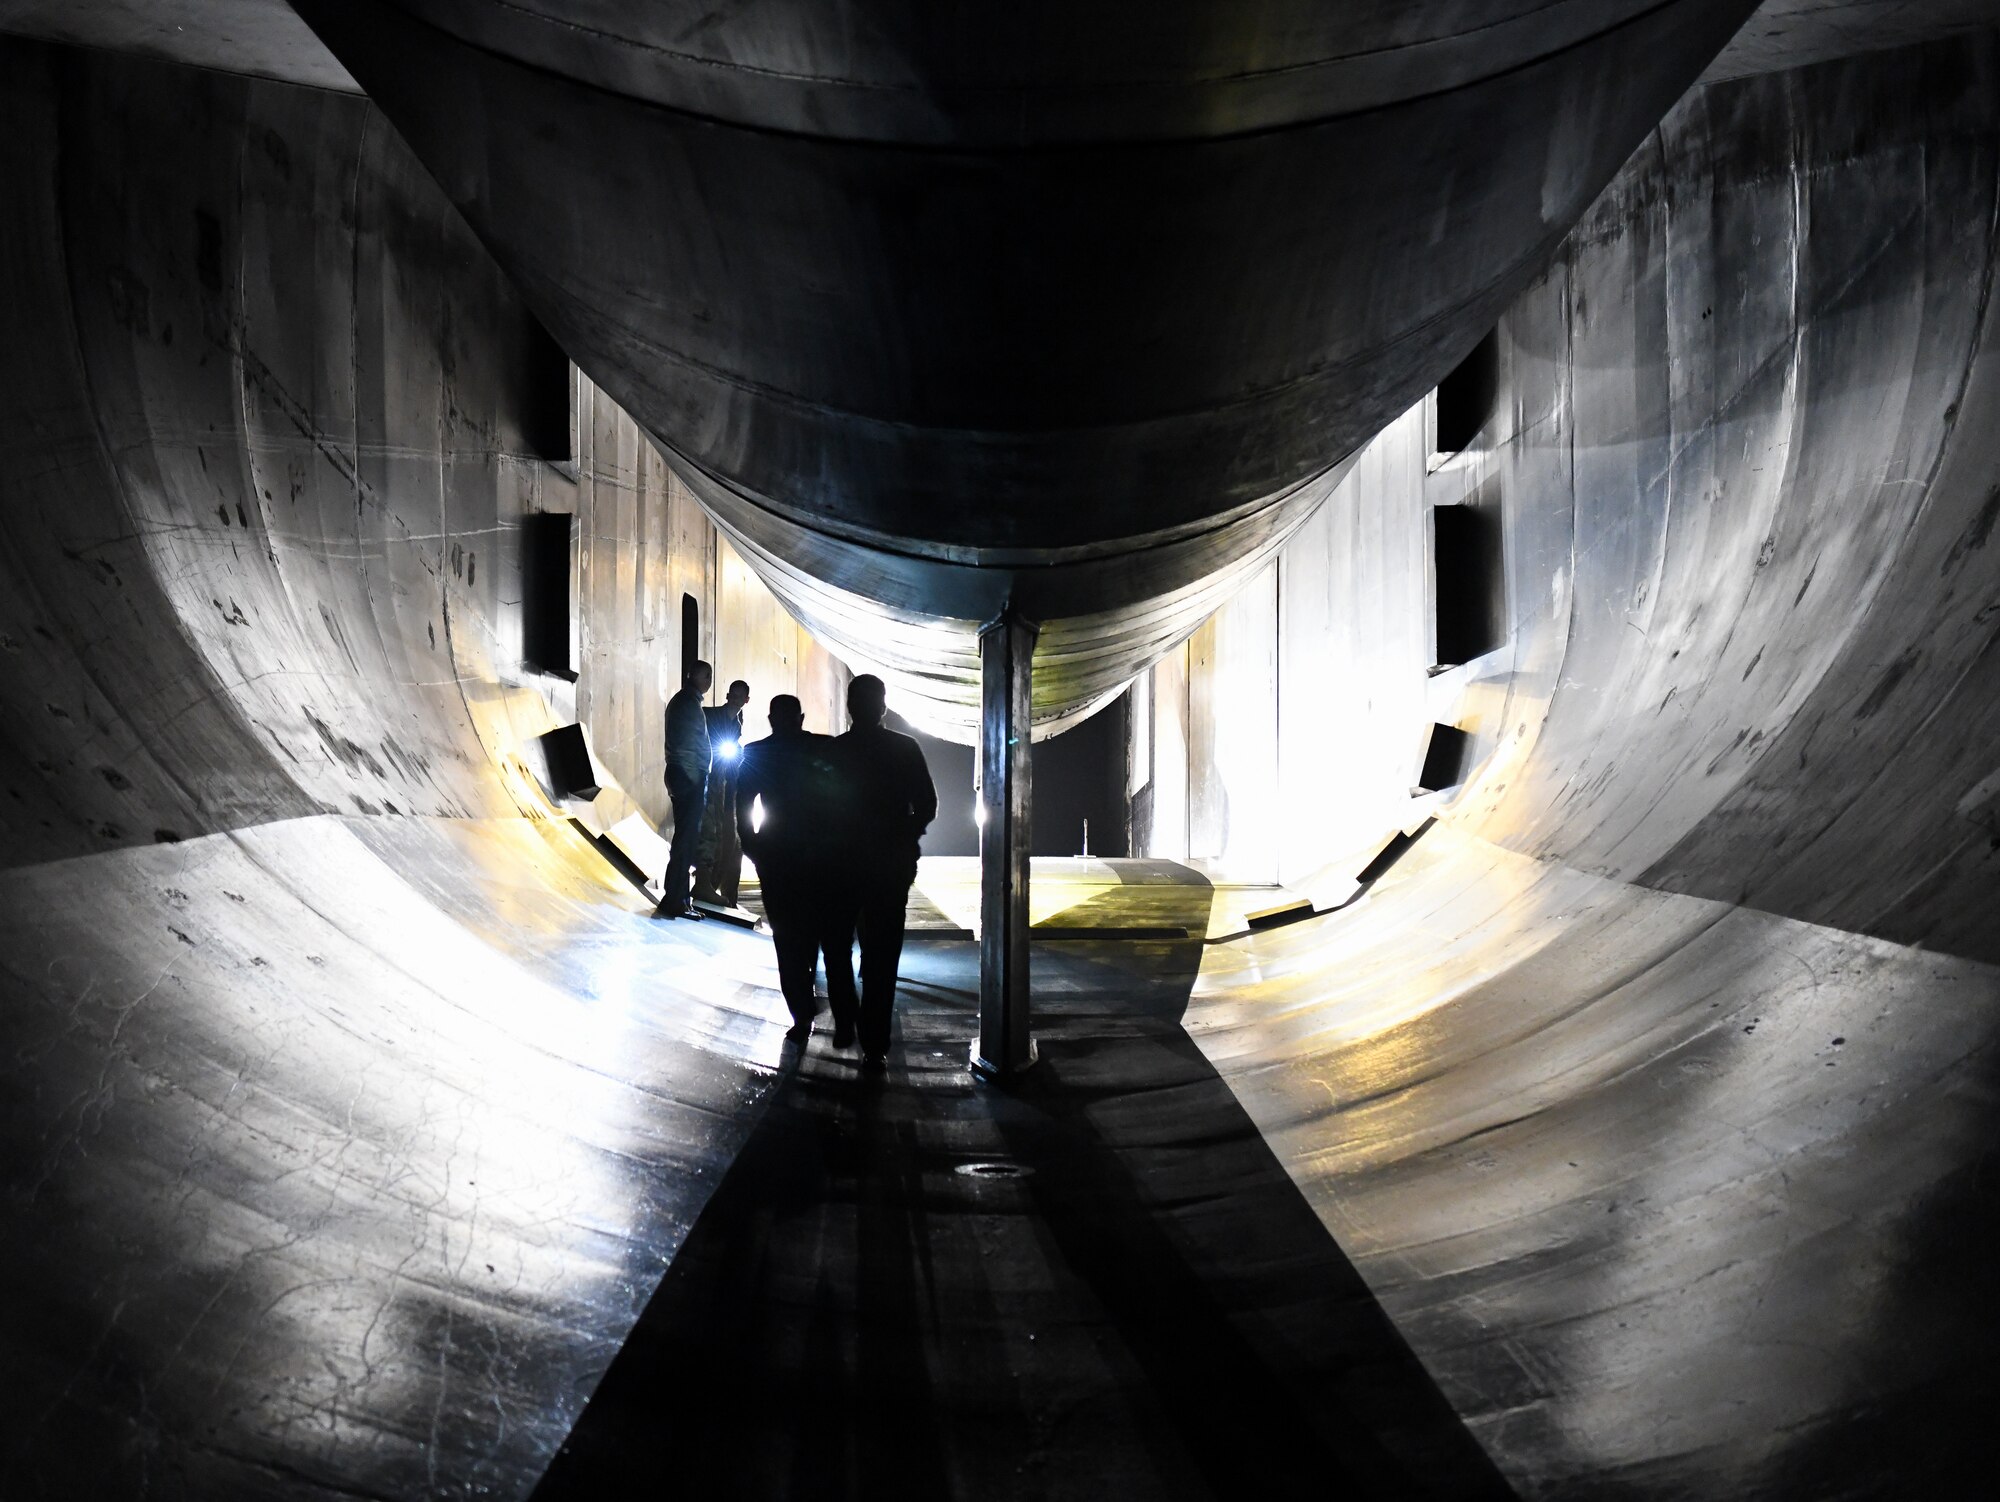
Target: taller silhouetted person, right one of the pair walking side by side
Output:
[{"x": 889, "y": 803}]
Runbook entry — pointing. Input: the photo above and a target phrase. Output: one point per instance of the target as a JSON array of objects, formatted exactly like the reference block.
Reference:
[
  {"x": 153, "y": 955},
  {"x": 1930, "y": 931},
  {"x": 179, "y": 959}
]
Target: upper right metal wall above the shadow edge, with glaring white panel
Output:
[{"x": 1747, "y": 503}]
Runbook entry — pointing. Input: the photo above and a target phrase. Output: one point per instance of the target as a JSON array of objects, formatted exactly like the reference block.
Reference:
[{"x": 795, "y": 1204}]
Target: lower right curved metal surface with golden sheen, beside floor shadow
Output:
[{"x": 1673, "y": 1199}]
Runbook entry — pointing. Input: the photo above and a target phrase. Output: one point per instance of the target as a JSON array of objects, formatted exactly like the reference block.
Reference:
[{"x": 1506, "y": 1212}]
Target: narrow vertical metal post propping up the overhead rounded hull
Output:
[{"x": 1007, "y": 657}]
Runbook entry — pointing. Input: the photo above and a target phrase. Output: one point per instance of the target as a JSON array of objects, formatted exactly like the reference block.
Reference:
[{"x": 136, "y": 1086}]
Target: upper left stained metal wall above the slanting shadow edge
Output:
[{"x": 265, "y": 429}]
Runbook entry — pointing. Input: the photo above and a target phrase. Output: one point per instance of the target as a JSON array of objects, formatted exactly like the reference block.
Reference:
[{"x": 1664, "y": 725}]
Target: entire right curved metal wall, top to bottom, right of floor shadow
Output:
[{"x": 1677, "y": 1195}]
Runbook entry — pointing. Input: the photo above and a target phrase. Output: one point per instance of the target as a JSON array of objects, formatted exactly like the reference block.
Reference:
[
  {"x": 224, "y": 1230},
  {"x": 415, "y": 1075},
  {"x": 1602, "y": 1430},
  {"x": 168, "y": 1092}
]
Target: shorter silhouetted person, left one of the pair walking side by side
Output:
[{"x": 785, "y": 789}]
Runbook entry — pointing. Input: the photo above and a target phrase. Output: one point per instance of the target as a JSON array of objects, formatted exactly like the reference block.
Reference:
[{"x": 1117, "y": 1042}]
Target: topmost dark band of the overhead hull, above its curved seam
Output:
[{"x": 1003, "y": 73}]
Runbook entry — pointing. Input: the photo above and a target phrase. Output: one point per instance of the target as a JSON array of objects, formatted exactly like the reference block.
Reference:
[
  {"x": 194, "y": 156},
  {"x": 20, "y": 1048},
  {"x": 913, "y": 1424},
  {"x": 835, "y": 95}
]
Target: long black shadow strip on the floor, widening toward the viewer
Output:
[{"x": 1099, "y": 1285}]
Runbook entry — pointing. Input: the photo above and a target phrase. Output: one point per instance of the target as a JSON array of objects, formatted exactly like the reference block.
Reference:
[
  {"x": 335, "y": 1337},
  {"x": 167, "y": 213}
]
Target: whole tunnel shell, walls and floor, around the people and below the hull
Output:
[{"x": 1627, "y": 1133}]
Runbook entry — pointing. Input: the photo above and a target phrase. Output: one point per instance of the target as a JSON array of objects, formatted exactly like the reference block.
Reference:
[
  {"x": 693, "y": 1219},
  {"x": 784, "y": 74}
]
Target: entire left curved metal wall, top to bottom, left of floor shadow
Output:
[{"x": 335, "y": 1059}]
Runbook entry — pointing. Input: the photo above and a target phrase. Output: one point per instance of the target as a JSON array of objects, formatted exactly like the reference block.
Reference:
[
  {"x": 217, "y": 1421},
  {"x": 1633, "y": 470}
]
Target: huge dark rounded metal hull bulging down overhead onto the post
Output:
[{"x": 1077, "y": 369}]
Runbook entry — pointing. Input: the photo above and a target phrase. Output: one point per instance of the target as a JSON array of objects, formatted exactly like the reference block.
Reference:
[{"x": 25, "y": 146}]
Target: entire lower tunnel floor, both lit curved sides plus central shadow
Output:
[{"x": 411, "y": 1159}]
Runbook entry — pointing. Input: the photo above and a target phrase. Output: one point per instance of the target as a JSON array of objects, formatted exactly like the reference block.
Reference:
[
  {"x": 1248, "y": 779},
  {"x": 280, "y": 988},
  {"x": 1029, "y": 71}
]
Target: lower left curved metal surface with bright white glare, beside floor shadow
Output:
[{"x": 347, "y": 1163}]
